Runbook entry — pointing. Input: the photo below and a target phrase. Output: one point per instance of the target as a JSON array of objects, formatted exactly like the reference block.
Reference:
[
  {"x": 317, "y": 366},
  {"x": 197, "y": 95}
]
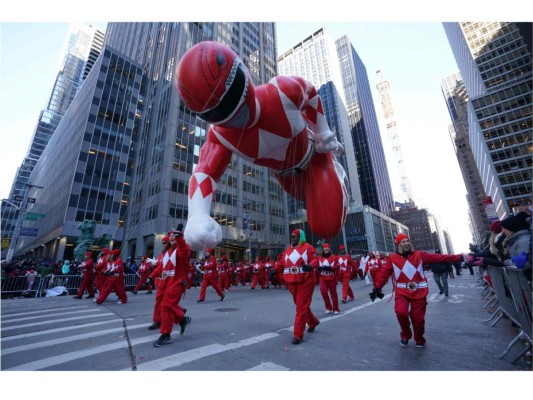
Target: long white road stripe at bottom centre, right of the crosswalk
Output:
[{"x": 178, "y": 359}]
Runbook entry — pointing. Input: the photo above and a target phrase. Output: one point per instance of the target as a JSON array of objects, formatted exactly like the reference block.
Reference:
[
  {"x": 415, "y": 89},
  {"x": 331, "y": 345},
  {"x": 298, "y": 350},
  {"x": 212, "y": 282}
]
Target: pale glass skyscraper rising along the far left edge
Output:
[{"x": 82, "y": 46}]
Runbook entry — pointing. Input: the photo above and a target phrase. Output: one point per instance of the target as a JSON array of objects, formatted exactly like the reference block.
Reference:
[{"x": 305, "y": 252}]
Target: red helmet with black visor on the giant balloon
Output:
[{"x": 214, "y": 83}]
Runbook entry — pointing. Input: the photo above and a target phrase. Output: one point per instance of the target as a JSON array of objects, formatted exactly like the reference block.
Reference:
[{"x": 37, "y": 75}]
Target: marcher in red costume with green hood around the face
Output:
[{"x": 299, "y": 263}]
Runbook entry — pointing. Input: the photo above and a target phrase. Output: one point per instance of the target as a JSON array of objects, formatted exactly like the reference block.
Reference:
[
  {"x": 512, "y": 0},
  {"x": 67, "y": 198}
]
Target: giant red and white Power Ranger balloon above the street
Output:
[{"x": 279, "y": 125}]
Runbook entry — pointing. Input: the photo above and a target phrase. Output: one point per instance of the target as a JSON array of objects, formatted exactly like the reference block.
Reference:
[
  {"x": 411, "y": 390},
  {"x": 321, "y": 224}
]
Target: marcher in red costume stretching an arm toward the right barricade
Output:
[{"x": 411, "y": 286}]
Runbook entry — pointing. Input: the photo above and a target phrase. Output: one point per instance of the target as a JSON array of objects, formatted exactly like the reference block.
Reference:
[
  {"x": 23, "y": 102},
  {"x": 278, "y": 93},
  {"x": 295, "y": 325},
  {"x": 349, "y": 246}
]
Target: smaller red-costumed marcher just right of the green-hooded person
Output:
[{"x": 328, "y": 266}]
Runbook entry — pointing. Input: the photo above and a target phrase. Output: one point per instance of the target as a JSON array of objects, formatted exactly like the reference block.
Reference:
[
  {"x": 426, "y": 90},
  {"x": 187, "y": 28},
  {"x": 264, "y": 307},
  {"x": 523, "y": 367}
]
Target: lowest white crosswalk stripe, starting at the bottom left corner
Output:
[{"x": 75, "y": 355}]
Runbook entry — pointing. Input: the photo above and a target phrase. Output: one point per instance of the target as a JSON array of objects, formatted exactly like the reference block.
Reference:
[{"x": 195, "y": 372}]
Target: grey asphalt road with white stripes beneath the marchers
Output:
[{"x": 252, "y": 331}]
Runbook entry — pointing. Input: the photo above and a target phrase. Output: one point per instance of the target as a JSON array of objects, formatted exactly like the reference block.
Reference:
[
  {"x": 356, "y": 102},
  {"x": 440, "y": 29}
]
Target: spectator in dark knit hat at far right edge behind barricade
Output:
[{"x": 517, "y": 245}]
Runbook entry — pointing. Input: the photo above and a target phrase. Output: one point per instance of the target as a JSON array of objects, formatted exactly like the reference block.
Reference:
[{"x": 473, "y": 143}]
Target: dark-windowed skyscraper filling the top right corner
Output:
[{"x": 494, "y": 60}]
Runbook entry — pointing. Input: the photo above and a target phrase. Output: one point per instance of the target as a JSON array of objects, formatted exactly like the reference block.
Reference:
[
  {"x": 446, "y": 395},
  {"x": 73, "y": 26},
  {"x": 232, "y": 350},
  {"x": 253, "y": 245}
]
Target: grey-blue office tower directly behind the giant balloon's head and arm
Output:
[{"x": 250, "y": 204}]
